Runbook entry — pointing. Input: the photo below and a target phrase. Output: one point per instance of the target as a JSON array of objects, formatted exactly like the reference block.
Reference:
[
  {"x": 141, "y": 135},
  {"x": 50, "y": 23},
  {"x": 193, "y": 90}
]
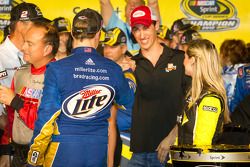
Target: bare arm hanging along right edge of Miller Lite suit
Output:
[{"x": 112, "y": 136}]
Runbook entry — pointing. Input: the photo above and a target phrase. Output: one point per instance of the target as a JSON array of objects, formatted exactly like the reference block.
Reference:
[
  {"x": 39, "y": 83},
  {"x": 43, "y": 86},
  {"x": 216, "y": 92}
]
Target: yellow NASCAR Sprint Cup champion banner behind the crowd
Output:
[{"x": 219, "y": 19}]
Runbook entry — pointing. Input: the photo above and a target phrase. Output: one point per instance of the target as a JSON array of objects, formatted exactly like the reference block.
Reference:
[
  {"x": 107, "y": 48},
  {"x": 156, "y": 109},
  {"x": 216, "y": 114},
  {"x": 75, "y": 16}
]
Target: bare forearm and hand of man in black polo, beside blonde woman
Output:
[{"x": 164, "y": 146}]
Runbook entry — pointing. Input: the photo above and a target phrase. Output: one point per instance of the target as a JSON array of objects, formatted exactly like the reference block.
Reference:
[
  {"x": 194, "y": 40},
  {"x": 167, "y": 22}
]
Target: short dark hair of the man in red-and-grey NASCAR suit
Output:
[{"x": 51, "y": 37}]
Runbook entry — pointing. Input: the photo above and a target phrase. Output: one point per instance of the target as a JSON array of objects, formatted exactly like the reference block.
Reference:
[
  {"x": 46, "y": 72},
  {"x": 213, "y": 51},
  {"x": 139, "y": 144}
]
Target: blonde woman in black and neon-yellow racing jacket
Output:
[{"x": 206, "y": 110}]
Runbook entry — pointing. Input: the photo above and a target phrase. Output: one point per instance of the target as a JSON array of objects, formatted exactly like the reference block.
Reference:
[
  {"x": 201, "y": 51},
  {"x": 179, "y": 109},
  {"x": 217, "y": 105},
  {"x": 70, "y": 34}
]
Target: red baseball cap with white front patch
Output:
[{"x": 142, "y": 15}]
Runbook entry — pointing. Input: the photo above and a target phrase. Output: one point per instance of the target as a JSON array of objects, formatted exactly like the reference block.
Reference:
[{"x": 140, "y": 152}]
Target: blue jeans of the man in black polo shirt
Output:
[{"x": 145, "y": 160}]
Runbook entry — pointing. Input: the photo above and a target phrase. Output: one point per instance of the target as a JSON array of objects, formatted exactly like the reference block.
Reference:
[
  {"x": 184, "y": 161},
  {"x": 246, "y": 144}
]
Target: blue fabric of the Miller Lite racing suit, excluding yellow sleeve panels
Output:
[{"x": 83, "y": 87}]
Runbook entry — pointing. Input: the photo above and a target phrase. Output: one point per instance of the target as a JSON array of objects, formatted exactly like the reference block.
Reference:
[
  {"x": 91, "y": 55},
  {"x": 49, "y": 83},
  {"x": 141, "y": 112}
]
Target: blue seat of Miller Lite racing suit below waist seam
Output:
[{"x": 72, "y": 154}]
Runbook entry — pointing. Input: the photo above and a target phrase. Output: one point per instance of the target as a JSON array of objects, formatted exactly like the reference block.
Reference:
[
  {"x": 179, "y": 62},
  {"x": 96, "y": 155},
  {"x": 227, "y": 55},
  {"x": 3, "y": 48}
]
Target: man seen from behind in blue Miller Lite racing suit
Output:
[{"x": 72, "y": 125}]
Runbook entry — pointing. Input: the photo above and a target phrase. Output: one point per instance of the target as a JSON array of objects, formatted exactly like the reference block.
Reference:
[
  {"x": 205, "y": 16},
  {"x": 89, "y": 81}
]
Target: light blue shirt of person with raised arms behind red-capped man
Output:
[{"x": 116, "y": 22}]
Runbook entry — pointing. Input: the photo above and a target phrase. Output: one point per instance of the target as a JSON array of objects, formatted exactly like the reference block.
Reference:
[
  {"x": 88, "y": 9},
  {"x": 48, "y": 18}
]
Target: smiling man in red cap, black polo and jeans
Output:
[{"x": 161, "y": 86}]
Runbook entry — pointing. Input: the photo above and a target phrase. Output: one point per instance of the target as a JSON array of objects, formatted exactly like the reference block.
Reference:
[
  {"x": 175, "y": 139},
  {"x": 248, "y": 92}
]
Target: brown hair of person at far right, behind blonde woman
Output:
[{"x": 234, "y": 50}]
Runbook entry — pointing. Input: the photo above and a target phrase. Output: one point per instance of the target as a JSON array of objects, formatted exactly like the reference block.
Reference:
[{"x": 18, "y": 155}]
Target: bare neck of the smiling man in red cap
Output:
[{"x": 153, "y": 53}]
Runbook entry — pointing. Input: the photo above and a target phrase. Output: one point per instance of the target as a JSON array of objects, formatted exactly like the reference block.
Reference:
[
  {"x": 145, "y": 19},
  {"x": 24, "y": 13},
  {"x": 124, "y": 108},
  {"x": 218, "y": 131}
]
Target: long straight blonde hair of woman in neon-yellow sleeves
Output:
[{"x": 207, "y": 72}]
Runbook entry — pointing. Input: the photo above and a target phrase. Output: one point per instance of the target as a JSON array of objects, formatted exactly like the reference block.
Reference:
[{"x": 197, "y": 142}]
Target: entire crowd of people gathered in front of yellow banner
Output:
[{"x": 68, "y": 90}]
